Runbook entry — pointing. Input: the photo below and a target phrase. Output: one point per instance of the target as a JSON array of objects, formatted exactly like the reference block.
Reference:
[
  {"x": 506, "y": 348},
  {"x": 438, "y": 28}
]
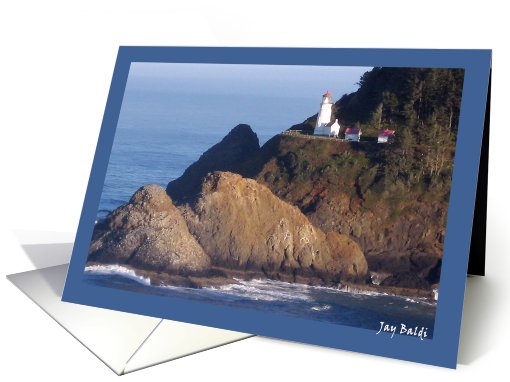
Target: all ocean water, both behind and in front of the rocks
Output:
[{"x": 163, "y": 129}]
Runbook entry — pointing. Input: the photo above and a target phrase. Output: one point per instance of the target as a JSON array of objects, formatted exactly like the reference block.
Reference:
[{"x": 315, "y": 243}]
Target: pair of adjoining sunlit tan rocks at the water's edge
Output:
[{"x": 235, "y": 227}]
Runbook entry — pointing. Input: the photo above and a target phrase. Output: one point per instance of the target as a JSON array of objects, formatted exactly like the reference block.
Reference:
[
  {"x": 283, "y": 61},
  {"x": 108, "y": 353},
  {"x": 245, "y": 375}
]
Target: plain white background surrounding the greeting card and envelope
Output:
[{"x": 56, "y": 63}]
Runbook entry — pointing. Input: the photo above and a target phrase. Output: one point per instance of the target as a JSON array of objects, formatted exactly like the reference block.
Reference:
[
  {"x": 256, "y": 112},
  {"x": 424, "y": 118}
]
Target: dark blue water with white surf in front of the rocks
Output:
[{"x": 295, "y": 300}]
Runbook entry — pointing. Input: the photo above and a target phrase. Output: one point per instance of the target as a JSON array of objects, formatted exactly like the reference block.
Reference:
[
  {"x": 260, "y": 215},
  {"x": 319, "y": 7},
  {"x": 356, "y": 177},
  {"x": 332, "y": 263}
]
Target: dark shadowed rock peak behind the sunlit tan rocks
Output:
[{"x": 238, "y": 146}]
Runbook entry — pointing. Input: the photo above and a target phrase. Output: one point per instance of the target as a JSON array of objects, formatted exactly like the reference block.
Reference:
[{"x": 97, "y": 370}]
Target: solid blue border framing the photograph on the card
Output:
[{"x": 442, "y": 349}]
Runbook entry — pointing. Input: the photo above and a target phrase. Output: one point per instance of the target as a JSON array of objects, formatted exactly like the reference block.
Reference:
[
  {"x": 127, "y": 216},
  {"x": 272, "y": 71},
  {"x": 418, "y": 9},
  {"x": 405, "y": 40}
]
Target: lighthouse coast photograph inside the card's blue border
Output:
[{"x": 317, "y": 192}]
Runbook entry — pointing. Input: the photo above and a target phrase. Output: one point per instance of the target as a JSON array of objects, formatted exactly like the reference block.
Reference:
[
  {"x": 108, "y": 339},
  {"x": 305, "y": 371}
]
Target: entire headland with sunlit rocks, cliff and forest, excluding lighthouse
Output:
[{"x": 360, "y": 215}]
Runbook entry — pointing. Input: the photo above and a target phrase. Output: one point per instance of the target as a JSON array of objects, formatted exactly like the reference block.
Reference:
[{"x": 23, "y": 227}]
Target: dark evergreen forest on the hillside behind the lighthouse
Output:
[{"x": 422, "y": 105}]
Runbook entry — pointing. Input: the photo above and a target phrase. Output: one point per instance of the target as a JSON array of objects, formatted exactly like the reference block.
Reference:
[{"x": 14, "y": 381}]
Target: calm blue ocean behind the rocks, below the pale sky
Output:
[{"x": 158, "y": 137}]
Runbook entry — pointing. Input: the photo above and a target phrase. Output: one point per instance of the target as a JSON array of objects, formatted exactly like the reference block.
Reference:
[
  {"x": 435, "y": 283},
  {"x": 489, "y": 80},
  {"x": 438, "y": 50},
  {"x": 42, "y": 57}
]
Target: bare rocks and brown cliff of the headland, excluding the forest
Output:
[{"x": 278, "y": 212}]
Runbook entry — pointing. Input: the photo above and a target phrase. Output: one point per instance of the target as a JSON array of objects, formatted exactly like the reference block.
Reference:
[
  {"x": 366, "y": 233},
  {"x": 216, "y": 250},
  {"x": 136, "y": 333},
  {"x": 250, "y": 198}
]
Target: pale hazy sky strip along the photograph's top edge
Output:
[{"x": 284, "y": 80}]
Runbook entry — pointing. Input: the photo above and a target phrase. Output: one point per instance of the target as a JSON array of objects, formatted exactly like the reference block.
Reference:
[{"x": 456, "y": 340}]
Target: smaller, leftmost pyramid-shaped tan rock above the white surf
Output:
[{"x": 149, "y": 233}]
